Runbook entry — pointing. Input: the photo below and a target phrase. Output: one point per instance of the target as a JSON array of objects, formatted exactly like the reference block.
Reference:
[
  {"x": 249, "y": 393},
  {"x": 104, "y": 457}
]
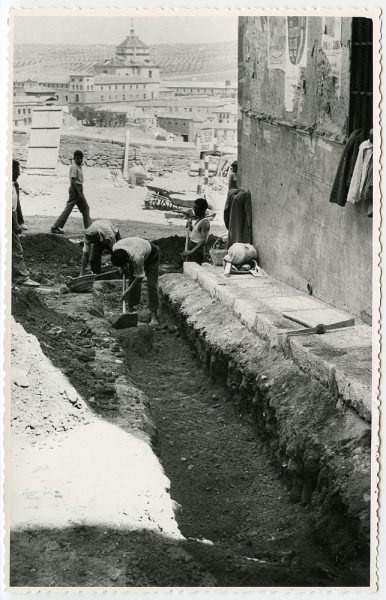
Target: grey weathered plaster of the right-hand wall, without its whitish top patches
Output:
[{"x": 289, "y": 159}]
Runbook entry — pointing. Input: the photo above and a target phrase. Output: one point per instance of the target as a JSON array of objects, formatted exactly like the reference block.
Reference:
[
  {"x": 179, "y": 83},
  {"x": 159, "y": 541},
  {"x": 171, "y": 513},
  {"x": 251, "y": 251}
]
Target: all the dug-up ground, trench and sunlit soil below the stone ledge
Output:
[{"x": 233, "y": 483}]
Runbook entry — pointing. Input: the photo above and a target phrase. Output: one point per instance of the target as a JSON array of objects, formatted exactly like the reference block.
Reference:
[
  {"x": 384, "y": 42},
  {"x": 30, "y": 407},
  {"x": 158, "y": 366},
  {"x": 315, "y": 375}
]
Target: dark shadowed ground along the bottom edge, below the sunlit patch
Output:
[{"x": 98, "y": 556}]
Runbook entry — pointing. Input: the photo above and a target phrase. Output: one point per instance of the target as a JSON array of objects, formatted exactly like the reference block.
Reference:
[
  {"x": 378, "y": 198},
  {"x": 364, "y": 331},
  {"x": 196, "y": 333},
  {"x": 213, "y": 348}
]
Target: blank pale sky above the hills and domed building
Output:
[{"x": 112, "y": 30}]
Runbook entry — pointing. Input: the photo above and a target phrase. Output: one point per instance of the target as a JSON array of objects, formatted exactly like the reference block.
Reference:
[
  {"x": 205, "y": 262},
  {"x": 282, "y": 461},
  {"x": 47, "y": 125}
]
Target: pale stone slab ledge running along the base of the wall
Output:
[{"x": 340, "y": 359}]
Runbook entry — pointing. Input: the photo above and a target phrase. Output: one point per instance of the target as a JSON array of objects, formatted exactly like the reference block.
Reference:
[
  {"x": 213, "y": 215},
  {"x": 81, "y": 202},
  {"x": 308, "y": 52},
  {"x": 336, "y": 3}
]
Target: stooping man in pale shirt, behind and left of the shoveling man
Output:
[{"x": 100, "y": 236}]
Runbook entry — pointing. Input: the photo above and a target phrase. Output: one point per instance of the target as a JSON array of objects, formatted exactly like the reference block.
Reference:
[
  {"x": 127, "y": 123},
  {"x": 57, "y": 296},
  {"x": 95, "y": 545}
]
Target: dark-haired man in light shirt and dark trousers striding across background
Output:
[{"x": 76, "y": 196}]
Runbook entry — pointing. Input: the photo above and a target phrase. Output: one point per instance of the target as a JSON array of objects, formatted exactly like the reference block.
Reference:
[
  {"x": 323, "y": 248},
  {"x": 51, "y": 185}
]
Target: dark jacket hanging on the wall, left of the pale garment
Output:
[{"x": 346, "y": 168}]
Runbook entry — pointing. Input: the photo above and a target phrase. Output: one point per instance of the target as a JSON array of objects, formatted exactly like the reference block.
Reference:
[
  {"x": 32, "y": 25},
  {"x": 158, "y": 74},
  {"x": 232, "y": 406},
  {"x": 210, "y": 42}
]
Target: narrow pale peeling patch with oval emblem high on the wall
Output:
[{"x": 296, "y": 57}]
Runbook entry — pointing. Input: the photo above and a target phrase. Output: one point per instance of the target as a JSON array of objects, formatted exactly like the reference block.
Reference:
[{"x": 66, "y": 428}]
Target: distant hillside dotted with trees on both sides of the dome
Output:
[{"x": 215, "y": 61}]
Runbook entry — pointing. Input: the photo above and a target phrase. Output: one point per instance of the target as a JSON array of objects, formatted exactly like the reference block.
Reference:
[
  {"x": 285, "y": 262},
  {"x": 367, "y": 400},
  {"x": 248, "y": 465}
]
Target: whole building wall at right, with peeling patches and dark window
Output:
[{"x": 305, "y": 83}]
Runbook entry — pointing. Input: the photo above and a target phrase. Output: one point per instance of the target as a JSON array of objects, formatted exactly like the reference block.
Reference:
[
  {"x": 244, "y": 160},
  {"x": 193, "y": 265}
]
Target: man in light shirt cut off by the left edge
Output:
[{"x": 20, "y": 275}]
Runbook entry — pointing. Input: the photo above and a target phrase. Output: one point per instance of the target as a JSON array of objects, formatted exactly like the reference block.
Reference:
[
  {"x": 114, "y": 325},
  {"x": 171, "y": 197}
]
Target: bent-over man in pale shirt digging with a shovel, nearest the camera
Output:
[{"x": 135, "y": 258}]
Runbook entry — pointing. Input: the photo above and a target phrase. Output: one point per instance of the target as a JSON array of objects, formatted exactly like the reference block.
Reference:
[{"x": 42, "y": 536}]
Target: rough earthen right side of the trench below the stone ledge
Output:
[{"x": 323, "y": 452}]
